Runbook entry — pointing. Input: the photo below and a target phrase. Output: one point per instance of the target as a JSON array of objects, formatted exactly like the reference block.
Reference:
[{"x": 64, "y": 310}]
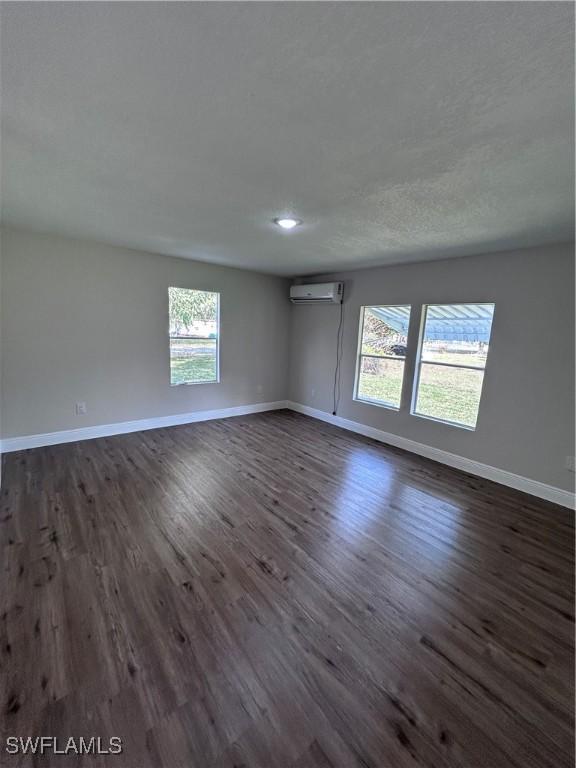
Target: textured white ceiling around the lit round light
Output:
[{"x": 397, "y": 131}]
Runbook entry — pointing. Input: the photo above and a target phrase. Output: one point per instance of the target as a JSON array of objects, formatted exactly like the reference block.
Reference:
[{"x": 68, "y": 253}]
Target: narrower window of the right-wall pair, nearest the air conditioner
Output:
[{"x": 381, "y": 354}]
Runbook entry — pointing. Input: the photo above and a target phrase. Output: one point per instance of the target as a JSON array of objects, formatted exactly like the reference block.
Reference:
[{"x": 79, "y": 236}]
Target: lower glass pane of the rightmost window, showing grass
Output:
[{"x": 450, "y": 394}]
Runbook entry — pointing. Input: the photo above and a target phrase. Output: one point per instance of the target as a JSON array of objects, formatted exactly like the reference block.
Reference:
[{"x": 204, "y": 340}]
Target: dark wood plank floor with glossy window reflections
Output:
[{"x": 272, "y": 591}]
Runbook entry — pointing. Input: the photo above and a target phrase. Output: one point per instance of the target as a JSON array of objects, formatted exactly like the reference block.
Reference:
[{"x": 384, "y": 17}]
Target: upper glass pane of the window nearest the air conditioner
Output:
[{"x": 385, "y": 330}]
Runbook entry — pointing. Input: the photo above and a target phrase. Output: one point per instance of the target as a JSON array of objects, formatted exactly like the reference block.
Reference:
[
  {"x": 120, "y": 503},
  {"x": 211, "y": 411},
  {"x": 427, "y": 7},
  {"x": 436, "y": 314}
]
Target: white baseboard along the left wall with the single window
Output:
[{"x": 119, "y": 428}]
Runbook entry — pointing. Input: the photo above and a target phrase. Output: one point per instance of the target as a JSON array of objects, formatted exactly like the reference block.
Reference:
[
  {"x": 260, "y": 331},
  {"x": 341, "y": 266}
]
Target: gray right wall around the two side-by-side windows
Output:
[{"x": 526, "y": 419}]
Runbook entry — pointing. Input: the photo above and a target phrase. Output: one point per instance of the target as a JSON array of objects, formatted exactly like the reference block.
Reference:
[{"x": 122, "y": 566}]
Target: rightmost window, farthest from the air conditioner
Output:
[{"x": 451, "y": 362}]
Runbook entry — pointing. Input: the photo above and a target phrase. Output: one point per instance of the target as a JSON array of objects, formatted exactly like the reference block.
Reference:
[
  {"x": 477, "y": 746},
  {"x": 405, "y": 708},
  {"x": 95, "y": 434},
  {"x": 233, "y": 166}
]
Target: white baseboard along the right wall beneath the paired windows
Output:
[{"x": 502, "y": 476}]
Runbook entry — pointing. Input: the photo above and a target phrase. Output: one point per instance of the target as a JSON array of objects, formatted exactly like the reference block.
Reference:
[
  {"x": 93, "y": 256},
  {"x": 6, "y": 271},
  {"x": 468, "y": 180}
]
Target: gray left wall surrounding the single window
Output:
[{"x": 88, "y": 322}]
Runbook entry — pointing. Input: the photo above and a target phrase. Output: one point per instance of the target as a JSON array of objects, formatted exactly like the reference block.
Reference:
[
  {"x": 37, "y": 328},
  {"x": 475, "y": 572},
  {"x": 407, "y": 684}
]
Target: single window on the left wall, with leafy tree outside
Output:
[{"x": 194, "y": 336}]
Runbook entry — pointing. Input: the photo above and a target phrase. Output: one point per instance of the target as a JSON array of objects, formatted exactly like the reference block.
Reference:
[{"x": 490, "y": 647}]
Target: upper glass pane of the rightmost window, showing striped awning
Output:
[{"x": 457, "y": 334}]
